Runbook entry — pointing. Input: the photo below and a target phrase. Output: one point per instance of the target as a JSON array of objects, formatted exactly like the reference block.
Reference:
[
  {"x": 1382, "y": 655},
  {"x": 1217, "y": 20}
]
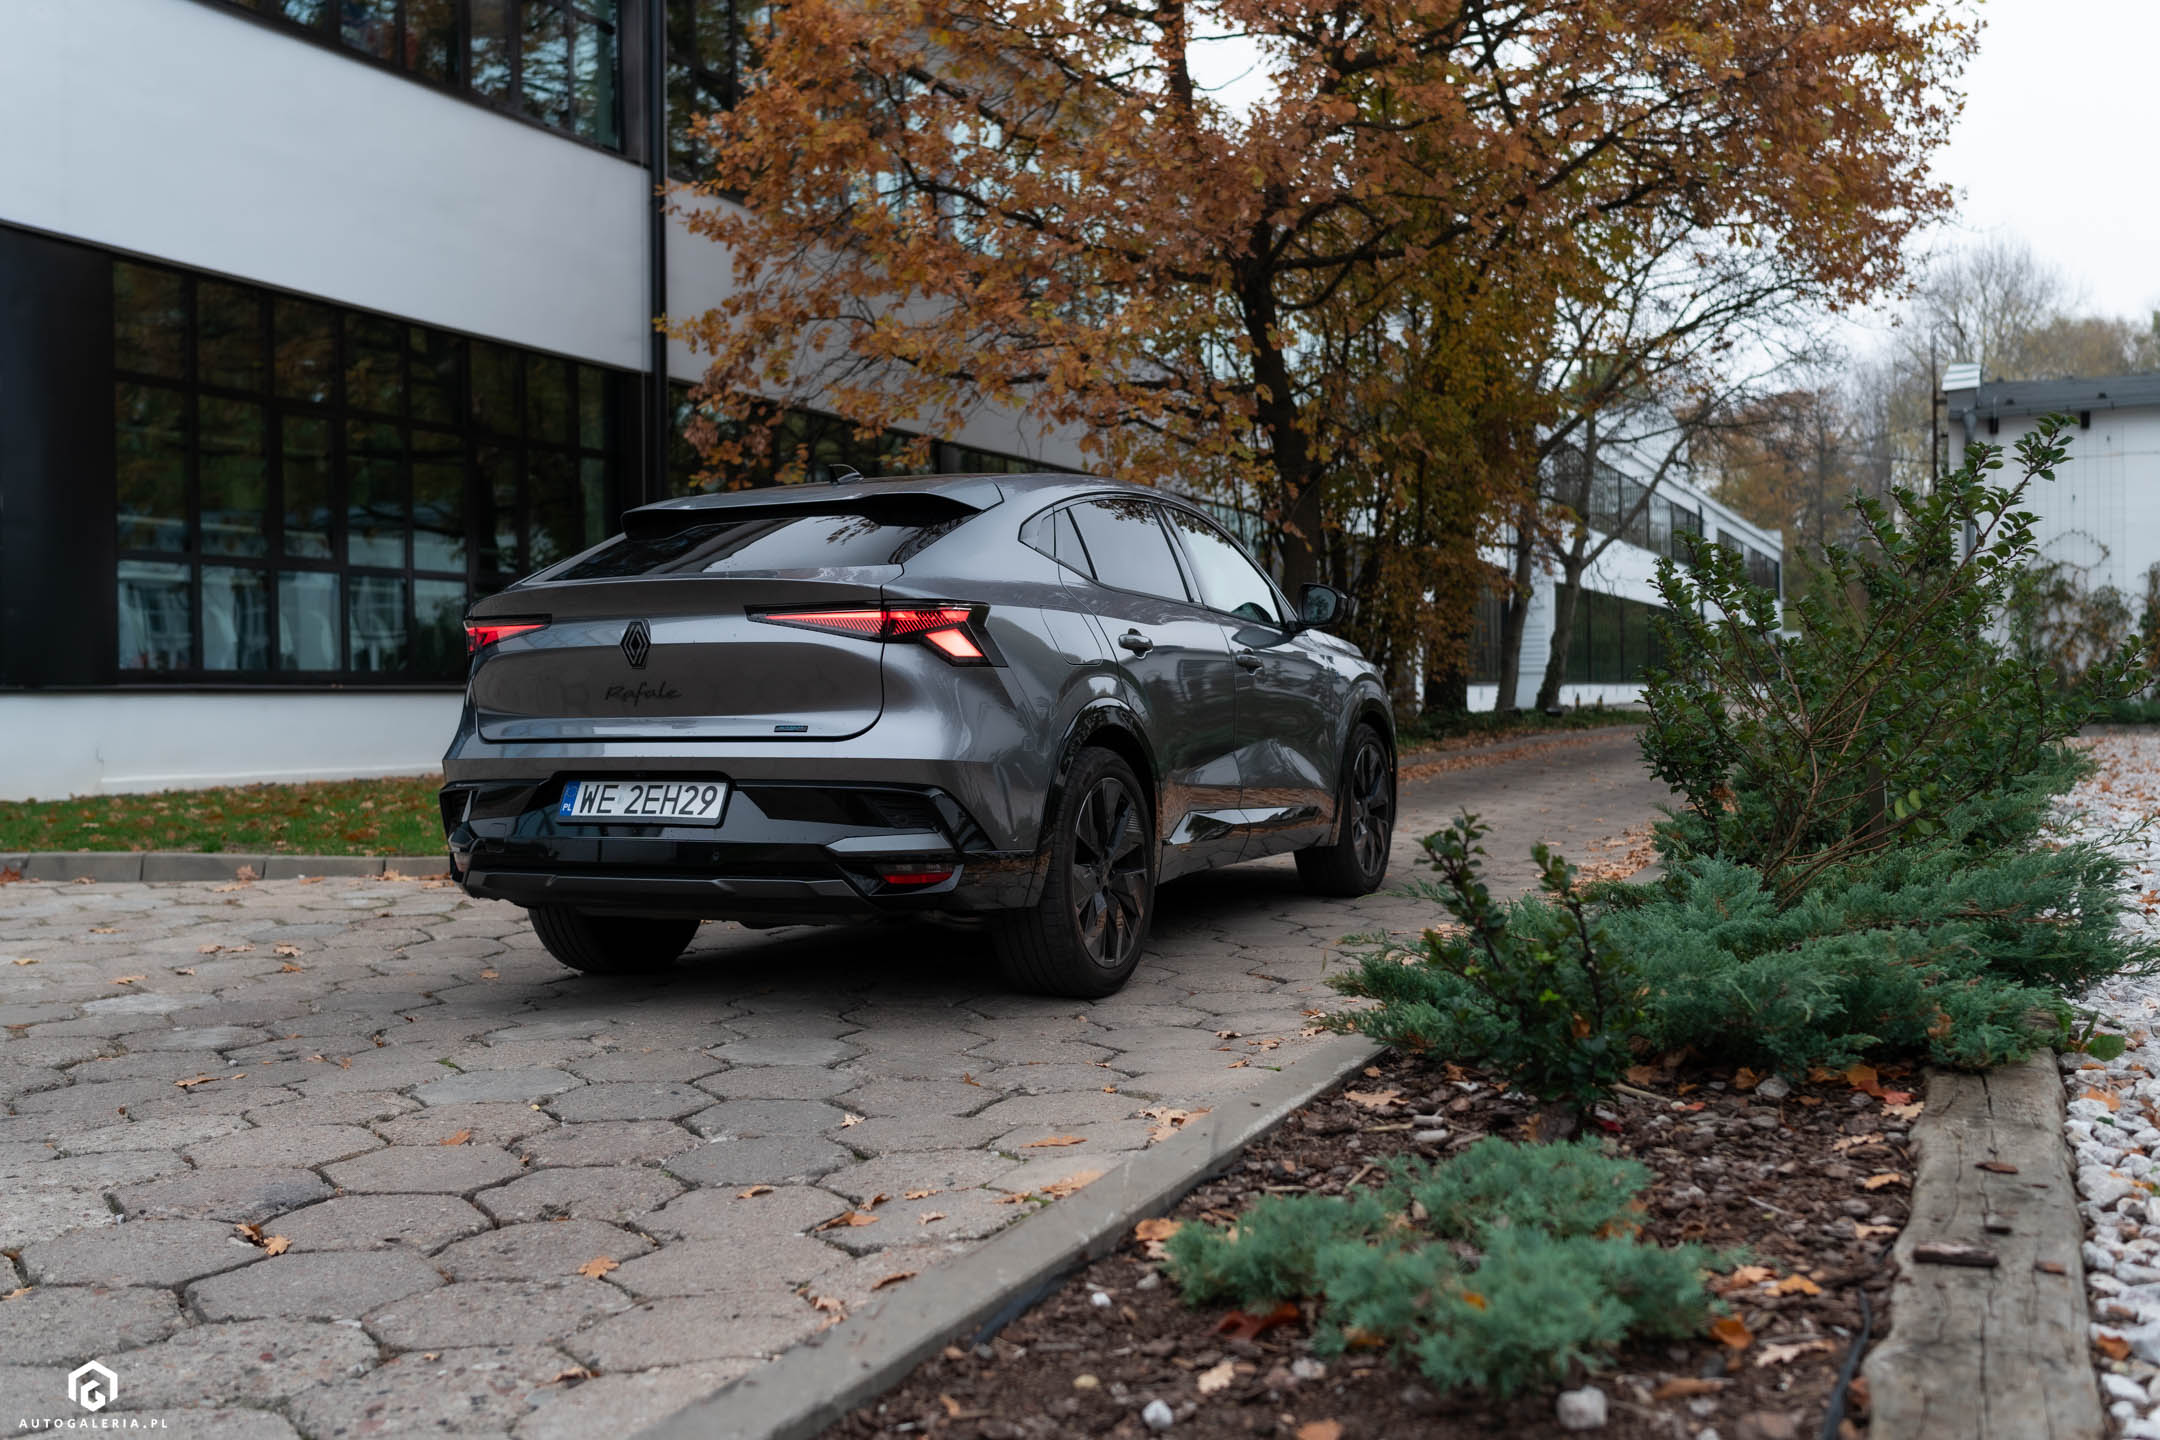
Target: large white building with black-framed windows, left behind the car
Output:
[{"x": 321, "y": 318}]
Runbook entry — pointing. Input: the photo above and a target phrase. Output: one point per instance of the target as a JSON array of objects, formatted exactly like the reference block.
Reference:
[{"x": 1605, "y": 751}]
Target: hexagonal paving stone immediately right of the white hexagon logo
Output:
[{"x": 249, "y": 1363}]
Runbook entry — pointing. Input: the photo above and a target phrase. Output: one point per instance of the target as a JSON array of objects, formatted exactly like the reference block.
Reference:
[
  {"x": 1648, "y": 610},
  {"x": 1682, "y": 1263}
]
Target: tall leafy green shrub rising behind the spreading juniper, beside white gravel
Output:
[{"x": 1893, "y": 707}]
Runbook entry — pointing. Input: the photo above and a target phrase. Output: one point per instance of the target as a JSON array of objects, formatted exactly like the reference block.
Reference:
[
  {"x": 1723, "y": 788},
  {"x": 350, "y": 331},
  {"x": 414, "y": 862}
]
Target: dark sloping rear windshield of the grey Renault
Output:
[{"x": 768, "y": 543}]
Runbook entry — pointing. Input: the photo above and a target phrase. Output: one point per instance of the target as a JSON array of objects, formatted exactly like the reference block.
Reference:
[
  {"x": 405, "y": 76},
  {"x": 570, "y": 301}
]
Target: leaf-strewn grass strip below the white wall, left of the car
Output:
[{"x": 329, "y": 817}]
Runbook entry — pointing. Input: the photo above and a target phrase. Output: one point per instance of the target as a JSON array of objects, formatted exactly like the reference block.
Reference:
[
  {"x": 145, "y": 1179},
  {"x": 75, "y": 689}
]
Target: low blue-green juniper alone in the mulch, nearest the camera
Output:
[{"x": 1498, "y": 1271}]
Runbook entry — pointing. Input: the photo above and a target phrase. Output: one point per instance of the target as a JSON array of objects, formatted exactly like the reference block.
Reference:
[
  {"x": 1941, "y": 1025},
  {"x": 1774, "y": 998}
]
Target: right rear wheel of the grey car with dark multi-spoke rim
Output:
[{"x": 1085, "y": 936}]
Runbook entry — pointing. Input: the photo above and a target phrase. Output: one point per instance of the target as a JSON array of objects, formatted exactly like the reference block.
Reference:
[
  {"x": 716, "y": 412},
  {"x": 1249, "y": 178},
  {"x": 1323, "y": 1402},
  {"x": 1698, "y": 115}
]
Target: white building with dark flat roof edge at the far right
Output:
[{"x": 2101, "y": 515}]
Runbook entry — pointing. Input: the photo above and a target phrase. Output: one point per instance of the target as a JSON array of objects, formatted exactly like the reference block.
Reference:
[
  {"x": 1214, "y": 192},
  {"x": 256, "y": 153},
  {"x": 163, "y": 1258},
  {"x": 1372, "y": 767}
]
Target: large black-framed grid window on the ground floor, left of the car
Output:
[{"x": 312, "y": 493}]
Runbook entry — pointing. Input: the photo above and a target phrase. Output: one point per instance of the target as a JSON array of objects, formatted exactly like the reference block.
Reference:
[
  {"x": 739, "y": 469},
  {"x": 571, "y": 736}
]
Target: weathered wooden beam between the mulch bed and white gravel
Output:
[{"x": 1990, "y": 1353}]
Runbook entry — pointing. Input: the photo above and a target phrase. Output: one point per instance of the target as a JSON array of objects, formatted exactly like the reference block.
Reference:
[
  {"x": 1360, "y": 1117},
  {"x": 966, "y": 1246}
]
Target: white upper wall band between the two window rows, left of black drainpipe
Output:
[{"x": 191, "y": 135}]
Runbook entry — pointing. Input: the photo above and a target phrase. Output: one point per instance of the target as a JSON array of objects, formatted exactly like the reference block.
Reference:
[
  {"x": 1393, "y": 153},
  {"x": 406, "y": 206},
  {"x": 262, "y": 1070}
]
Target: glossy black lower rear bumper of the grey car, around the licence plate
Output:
[{"x": 783, "y": 854}]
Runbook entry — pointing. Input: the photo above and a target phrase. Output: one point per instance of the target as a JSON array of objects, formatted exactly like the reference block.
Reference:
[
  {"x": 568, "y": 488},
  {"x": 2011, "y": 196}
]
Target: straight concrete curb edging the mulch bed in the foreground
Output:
[{"x": 818, "y": 1383}]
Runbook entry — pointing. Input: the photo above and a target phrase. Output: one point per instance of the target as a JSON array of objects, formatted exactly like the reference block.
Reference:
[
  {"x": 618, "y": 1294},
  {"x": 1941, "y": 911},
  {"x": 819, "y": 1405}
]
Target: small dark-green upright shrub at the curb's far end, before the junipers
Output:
[{"x": 1533, "y": 990}]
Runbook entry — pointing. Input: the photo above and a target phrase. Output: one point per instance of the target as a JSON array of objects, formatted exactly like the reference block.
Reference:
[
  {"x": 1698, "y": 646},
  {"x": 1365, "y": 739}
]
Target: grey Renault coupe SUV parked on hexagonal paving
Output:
[{"x": 999, "y": 701}]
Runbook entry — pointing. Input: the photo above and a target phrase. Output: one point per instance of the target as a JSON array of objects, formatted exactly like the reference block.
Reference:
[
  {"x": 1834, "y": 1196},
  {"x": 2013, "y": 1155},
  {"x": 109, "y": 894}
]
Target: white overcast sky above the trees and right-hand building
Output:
[{"x": 2057, "y": 144}]
